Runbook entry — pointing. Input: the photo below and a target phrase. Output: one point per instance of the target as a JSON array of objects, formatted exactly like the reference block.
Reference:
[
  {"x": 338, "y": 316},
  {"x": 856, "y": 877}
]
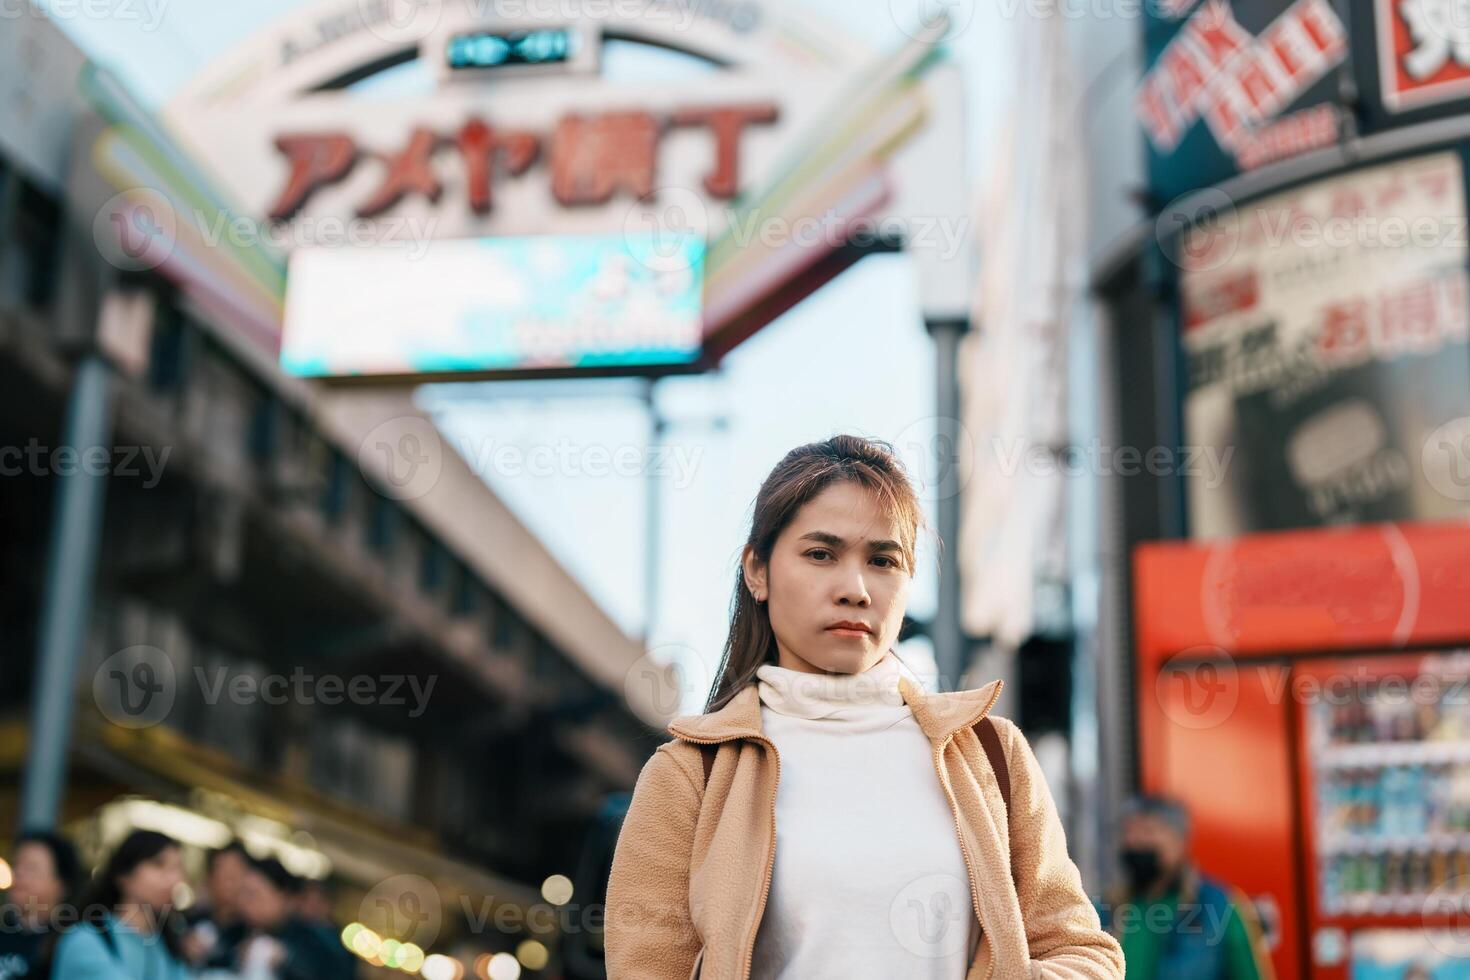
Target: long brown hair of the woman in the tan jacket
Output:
[{"x": 799, "y": 478}]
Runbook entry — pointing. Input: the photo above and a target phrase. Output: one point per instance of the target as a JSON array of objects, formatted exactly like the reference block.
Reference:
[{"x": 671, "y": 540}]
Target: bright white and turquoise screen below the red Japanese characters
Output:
[{"x": 502, "y": 305}]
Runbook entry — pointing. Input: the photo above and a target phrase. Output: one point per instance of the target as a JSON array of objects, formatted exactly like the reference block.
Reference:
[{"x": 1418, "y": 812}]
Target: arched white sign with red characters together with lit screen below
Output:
[{"x": 559, "y": 217}]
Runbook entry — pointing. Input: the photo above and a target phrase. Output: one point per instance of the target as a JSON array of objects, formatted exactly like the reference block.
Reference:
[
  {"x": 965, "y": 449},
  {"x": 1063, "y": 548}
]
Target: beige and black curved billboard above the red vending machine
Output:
[{"x": 1325, "y": 333}]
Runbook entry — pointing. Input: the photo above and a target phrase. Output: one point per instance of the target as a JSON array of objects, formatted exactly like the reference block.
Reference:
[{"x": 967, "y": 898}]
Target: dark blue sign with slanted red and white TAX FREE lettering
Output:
[{"x": 1236, "y": 86}]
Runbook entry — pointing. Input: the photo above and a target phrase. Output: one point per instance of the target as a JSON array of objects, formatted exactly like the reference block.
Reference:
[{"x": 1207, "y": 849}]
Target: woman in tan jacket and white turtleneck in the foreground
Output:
[{"x": 827, "y": 816}]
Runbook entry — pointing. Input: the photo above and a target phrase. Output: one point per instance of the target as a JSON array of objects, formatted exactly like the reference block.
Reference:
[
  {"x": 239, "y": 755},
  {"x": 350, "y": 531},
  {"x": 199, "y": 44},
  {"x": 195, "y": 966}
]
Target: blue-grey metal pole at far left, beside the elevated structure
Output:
[{"x": 67, "y": 594}]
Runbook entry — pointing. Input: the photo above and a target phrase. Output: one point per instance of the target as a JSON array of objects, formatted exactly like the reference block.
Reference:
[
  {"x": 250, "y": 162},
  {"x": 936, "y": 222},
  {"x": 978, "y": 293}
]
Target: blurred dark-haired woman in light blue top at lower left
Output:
[{"x": 129, "y": 929}]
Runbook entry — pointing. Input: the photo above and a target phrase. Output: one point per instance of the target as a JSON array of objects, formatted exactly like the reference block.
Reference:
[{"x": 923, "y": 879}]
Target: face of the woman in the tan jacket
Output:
[{"x": 840, "y": 559}]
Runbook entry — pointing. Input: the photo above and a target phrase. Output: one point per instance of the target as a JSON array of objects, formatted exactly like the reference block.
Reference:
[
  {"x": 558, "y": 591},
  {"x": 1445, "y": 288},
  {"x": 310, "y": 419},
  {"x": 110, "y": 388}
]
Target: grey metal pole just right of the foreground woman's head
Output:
[{"x": 947, "y": 634}]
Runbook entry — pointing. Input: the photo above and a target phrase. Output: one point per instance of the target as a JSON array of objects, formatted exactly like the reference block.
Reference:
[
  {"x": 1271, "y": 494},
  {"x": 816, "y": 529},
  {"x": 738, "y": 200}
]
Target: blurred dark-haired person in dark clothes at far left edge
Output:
[{"x": 46, "y": 873}]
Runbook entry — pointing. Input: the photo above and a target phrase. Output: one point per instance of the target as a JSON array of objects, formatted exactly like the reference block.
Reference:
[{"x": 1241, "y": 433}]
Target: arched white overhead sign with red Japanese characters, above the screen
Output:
[{"x": 521, "y": 133}]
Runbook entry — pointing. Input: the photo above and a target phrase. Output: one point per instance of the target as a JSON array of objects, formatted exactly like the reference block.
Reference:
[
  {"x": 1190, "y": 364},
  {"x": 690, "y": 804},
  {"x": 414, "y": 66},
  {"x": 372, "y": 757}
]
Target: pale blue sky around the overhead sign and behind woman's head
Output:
[{"x": 855, "y": 358}]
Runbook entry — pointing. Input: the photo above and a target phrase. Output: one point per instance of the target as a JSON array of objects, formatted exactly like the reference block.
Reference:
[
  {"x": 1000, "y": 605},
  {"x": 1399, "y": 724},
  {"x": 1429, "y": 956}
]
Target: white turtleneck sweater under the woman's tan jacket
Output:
[{"x": 870, "y": 878}]
